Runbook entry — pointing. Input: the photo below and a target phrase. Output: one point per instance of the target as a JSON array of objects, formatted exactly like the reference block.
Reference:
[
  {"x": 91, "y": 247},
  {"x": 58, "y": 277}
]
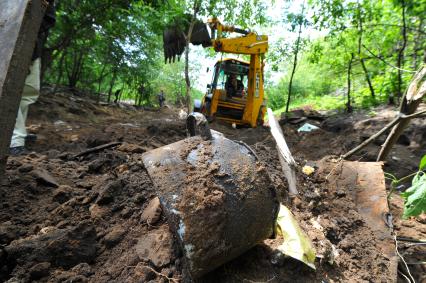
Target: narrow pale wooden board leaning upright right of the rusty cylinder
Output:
[{"x": 286, "y": 159}]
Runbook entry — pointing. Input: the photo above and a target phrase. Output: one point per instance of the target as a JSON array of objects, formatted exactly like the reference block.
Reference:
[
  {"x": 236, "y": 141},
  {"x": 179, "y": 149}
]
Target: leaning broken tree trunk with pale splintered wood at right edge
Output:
[{"x": 412, "y": 98}]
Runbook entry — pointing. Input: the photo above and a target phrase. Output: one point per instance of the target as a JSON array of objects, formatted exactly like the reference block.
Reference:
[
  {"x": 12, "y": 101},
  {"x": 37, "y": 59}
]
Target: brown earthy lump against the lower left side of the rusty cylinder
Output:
[{"x": 156, "y": 247}]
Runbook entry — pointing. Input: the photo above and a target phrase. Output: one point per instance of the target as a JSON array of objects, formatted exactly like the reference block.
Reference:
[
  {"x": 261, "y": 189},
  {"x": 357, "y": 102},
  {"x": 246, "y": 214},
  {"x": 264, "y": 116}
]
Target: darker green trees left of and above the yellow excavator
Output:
[{"x": 103, "y": 46}]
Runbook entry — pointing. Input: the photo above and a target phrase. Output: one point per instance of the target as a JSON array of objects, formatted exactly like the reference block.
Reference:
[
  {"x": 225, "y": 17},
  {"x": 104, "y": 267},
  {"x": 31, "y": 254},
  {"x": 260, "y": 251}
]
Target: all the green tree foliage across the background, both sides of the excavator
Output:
[{"x": 121, "y": 48}]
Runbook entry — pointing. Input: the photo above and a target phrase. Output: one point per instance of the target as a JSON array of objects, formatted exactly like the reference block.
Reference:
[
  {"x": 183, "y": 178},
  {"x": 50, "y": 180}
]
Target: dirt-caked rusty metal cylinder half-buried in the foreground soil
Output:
[{"x": 217, "y": 198}]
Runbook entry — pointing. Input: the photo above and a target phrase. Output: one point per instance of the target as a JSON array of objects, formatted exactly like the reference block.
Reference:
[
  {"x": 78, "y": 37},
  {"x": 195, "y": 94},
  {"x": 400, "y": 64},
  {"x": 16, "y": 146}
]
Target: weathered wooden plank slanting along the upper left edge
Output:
[{"x": 19, "y": 24}]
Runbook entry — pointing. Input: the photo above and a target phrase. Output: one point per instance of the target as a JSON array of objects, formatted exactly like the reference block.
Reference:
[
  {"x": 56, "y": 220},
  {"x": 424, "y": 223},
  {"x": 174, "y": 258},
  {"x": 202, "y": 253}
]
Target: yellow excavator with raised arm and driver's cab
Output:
[{"x": 235, "y": 94}]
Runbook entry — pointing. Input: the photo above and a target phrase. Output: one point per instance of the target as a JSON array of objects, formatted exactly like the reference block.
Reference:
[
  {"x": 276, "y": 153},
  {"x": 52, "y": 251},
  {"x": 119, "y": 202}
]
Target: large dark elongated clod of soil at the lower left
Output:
[{"x": 60, "y": 247}]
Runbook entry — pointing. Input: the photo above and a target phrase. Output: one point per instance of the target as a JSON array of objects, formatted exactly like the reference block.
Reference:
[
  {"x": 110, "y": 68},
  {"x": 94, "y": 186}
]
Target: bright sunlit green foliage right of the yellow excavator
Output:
[{"x": 372, "y": 31}]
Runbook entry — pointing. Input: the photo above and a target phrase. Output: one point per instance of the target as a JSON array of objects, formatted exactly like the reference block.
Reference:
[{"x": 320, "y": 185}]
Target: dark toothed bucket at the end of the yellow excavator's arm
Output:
[{"x": 174, "y": 39}]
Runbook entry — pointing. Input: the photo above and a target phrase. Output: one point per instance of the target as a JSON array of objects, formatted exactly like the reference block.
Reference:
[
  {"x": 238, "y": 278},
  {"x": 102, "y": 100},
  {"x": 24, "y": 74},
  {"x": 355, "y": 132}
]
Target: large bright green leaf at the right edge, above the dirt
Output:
[{"x": 415, "y": 197}]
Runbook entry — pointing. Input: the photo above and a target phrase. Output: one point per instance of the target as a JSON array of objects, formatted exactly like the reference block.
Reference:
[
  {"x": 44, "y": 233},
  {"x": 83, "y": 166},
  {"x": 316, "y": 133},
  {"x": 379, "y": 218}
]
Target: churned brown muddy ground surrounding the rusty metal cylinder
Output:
[{"x": 68, "y": 215}]
